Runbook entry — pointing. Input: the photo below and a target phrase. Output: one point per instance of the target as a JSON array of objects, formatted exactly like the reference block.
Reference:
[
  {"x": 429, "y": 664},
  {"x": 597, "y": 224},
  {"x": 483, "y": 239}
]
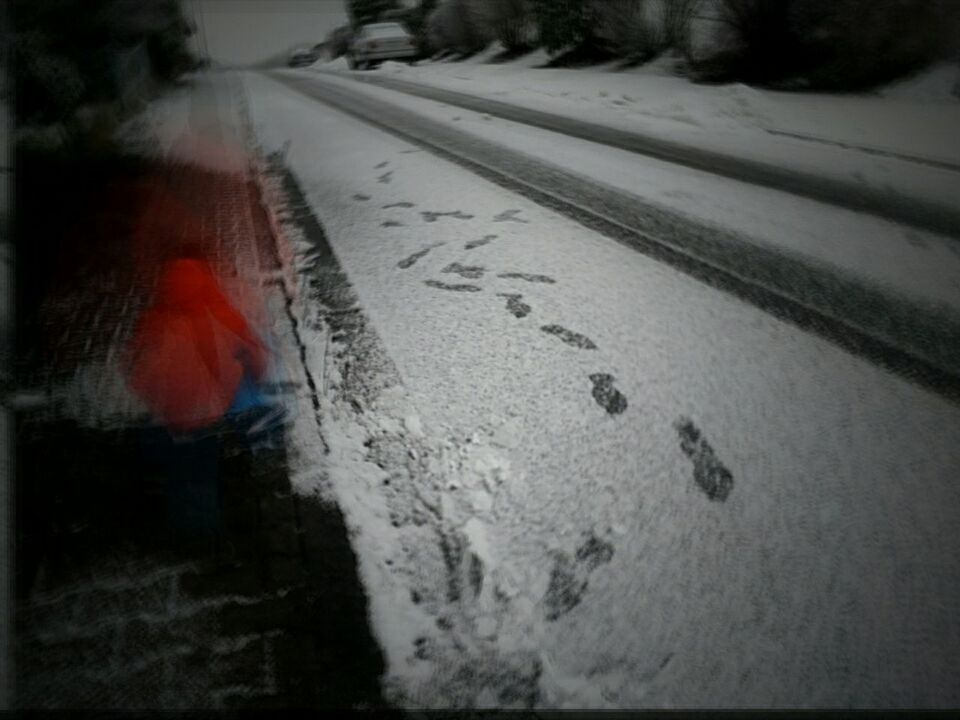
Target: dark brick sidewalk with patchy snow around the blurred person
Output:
[{"x": 111, "y": 614}]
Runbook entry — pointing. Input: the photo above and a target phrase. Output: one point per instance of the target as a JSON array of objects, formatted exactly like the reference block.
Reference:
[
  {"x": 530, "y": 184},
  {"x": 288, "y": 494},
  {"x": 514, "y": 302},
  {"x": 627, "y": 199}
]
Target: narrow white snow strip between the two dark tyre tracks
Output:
[{"x": 907, "y": 261}]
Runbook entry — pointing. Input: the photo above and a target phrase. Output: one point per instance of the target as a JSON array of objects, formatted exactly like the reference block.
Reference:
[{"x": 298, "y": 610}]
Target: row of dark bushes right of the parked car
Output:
[{"x": 831, "y": 44}]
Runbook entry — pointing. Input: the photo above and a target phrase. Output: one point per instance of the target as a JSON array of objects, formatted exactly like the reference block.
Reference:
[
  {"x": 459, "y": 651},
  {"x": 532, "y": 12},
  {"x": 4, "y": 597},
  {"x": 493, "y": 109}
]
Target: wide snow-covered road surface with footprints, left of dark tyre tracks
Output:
[{"x": 698, "y": 504}]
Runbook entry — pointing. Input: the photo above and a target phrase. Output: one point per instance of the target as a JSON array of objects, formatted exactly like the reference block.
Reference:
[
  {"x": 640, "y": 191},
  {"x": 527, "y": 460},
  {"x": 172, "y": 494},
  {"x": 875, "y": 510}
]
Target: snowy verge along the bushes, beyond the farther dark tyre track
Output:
[{"x": 913, "y": 118}]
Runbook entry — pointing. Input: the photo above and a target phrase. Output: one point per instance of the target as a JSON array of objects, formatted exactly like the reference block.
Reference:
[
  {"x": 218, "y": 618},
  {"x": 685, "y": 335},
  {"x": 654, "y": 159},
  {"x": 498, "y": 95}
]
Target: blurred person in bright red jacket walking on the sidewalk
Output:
[{"x": 198, "y": 366}]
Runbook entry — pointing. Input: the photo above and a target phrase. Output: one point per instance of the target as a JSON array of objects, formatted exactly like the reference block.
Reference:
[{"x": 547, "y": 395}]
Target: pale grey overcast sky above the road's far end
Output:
[{"x": 244, "y": 31}]
